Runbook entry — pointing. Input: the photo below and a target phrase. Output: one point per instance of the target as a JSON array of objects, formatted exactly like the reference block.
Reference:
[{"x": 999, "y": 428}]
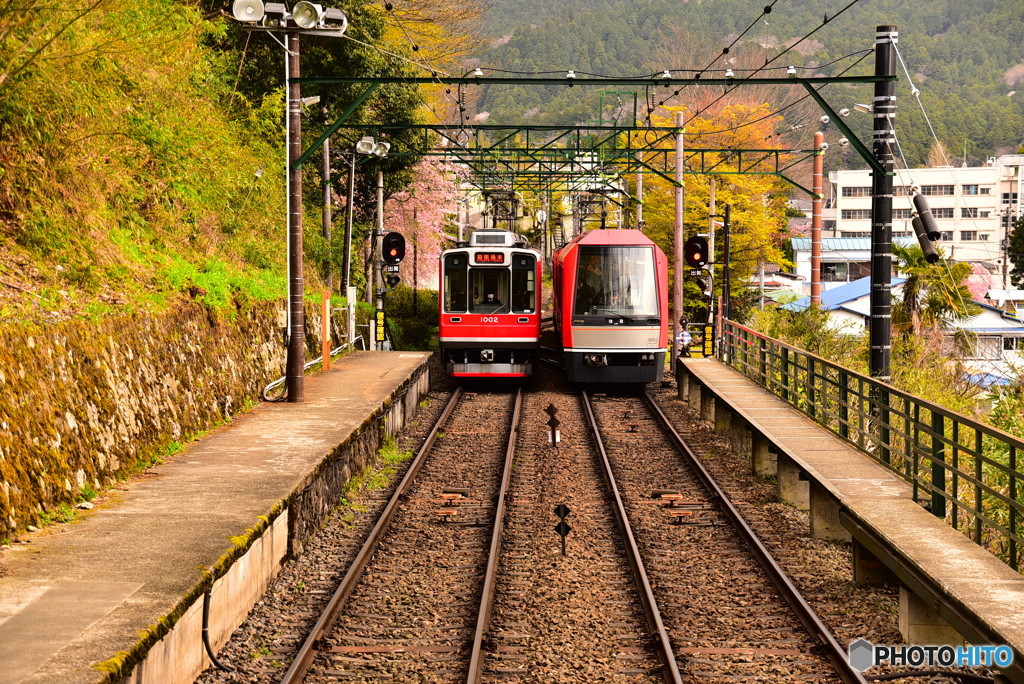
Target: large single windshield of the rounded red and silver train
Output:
[{"x": 617, "y": 281}]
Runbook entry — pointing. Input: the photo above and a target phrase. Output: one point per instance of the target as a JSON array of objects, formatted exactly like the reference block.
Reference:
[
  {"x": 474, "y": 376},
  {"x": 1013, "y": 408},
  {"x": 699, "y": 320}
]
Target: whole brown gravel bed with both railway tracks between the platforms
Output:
[{"x": 484, "y": 594}]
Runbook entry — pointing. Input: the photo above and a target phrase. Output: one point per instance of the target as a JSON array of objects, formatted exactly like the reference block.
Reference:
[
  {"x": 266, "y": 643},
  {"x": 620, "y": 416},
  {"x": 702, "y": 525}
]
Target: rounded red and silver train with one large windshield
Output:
[{"x": 612, "y": 308}]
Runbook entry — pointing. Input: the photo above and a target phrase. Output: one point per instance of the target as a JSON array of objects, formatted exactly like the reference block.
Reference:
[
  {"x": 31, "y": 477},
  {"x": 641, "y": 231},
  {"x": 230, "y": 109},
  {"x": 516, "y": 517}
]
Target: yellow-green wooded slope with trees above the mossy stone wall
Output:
[{"x": 142, "y": 148}]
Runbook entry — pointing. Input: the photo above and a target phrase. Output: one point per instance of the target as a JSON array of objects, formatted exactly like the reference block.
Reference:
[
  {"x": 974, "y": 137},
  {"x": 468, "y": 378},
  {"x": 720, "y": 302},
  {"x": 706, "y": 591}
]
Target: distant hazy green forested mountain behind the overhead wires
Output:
[{"x": 967, "y": 59}]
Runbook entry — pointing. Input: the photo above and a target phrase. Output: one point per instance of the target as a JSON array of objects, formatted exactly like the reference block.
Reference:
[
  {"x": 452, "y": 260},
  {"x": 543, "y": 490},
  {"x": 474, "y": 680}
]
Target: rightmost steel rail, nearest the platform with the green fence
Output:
[{"x": 806, "y": 615}]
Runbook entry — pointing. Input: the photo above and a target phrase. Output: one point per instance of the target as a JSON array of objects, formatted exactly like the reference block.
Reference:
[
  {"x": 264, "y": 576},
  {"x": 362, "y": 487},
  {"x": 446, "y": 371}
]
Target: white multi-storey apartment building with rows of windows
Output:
[{"x": 975, "y": 207}]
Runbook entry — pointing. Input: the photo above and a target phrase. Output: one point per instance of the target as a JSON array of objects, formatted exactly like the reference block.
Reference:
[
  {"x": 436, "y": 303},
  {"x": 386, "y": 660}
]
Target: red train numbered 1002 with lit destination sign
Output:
[{"x": 491, "y": 307}]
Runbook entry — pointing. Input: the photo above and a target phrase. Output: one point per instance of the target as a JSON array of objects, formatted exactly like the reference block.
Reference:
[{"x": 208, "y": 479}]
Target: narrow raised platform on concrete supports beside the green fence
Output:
[{"x": 948, "y": 580}]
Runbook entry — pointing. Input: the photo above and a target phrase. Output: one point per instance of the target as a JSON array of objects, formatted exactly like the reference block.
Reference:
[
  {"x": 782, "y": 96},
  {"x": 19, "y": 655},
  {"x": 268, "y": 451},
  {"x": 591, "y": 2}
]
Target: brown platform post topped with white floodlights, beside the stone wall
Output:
[{"x": 306, "y": 18}]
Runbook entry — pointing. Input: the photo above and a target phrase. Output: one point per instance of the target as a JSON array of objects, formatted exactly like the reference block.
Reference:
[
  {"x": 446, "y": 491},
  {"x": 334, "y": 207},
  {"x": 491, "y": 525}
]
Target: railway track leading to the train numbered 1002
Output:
[{"x": 411, "y": 602}]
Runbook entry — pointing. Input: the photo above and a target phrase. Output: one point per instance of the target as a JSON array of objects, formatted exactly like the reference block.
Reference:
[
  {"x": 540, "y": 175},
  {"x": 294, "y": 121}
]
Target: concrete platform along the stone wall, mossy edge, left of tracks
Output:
[{"x": 119, "y": 592}]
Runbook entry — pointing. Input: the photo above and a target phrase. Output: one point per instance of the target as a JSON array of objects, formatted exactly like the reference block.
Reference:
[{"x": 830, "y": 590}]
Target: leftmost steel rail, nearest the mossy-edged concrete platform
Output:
[{"x": 305, "y": 658}]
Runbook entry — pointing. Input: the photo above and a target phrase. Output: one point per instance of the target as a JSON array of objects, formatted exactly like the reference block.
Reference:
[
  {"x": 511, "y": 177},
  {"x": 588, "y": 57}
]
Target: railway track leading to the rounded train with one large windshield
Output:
[{"x": 733, "y": 614}]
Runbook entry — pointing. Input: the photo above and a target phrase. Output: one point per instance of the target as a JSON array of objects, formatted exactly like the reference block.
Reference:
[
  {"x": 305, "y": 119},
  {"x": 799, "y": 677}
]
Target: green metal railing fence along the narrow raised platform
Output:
[{"x": 962, "y": 471}]
